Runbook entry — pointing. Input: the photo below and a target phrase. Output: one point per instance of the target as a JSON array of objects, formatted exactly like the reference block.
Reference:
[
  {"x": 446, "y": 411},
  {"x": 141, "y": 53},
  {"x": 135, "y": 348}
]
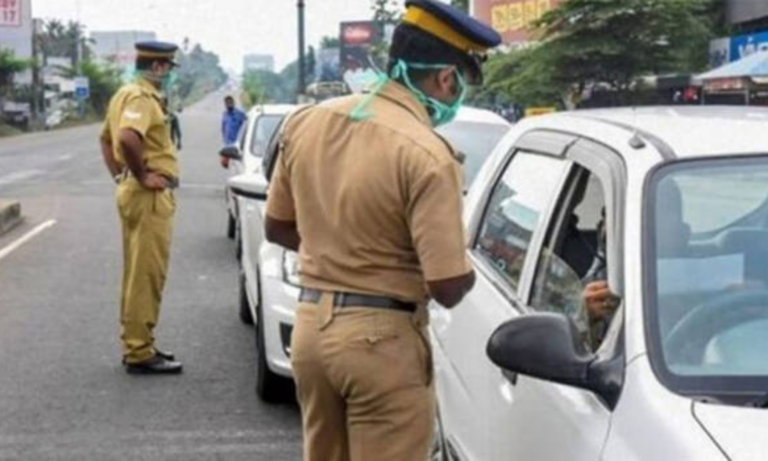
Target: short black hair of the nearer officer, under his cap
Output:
[{"x": 414, "y": 45}]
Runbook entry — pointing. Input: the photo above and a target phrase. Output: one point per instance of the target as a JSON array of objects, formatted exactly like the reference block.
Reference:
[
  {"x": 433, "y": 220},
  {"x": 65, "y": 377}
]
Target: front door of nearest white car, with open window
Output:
[{"x": 544, "y": 420}]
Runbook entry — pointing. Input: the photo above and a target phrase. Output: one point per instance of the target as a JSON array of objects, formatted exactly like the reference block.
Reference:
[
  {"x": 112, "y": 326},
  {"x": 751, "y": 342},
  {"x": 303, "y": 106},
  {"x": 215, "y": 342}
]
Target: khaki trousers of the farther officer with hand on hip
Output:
[{"x": 147, "y": 225}]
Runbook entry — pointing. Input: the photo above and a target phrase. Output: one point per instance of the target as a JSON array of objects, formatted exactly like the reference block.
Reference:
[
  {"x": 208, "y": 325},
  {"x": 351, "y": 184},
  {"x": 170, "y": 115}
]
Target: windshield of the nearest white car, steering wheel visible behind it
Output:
[{"x": 708, "y": 274}]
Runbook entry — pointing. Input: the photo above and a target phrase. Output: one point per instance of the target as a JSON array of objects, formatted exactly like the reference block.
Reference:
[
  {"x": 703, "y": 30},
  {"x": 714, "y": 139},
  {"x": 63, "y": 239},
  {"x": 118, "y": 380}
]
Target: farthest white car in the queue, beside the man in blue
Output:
[{"x": 246, "y": 155}]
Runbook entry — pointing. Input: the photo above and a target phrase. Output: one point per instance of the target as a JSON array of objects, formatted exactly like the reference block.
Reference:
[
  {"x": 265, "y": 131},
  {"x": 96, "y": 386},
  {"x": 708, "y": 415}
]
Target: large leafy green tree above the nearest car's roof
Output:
[{"x": 588, "y": 43}]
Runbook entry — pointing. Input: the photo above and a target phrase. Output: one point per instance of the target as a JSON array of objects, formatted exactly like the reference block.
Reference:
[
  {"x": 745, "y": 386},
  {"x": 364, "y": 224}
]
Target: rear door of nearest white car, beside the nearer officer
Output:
[{"x": 471, "y": 390}]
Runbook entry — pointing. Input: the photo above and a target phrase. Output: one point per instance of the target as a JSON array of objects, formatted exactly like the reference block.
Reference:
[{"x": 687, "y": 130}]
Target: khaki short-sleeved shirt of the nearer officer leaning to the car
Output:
[{"x": 378, "y": 203}]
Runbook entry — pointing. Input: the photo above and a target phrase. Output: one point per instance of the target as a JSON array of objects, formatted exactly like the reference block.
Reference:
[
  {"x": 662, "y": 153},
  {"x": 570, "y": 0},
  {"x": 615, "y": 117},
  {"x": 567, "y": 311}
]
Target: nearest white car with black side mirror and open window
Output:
[{"x": 680, "y": 370}]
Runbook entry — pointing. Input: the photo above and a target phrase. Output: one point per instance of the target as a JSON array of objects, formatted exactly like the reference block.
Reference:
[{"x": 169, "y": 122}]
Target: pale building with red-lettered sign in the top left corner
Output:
[{"x": 16, "y": 27}]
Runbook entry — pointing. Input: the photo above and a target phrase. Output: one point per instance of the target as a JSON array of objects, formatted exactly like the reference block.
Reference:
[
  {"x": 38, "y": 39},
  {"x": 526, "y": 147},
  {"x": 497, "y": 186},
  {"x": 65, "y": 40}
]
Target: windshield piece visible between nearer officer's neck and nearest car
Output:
[{"x": 476, "y": 141}]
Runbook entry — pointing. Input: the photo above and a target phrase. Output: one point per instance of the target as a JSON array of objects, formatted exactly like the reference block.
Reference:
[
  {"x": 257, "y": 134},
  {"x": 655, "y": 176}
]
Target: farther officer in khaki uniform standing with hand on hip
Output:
[{"x": 138, "y": 152}]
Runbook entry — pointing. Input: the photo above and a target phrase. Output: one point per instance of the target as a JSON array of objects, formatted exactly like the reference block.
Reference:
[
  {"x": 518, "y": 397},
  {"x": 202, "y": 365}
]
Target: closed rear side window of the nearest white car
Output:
[{"x": 514, "y": 211}]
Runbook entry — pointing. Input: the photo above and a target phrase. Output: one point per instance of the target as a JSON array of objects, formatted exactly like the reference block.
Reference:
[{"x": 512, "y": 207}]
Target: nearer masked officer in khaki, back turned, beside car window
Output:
[{"x": 371, "y": 197}]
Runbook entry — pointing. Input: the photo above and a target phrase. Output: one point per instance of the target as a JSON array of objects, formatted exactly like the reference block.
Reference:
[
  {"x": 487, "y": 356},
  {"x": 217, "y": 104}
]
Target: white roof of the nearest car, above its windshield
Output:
[{"x": 690, "y": 131}]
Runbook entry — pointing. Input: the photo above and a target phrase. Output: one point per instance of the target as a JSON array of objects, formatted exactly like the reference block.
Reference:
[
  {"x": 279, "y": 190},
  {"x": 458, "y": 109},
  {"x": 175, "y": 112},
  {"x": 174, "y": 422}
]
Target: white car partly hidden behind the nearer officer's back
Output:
[{"x": 270, "y": 278}]
